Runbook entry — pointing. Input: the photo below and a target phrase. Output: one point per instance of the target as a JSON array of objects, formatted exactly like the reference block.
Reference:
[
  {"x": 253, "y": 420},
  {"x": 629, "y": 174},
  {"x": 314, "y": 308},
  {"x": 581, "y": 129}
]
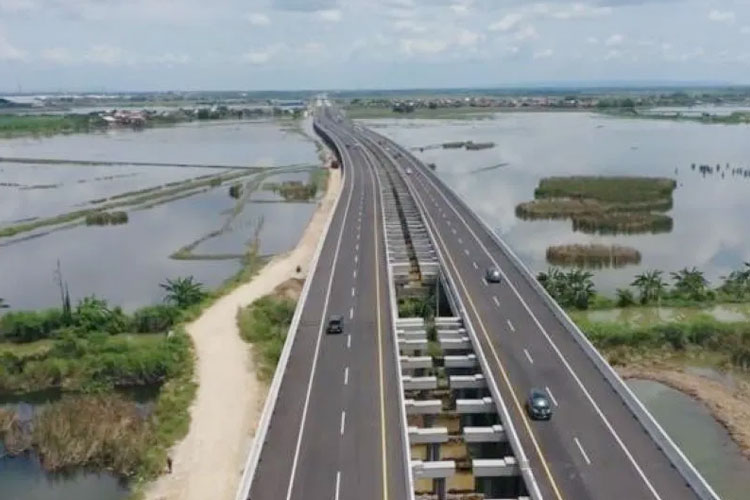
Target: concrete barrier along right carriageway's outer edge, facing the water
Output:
[{"x": 675, "y": 455}]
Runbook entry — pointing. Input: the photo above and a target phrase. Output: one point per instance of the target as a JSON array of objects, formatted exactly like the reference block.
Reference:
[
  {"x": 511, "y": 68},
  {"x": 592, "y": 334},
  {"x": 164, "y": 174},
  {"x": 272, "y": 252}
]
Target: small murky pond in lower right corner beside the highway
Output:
[{"x": 703, "y": 440}]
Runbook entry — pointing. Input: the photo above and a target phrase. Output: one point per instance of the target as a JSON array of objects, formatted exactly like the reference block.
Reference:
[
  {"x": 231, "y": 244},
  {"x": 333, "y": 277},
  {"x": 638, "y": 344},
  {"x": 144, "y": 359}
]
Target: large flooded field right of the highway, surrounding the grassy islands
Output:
[{"x": 709, "y": 212}]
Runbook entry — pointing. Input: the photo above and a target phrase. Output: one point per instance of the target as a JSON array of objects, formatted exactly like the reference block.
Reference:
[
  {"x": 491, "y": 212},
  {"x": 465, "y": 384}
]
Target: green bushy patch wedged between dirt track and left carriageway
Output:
[{"x": 265, "y": 324}]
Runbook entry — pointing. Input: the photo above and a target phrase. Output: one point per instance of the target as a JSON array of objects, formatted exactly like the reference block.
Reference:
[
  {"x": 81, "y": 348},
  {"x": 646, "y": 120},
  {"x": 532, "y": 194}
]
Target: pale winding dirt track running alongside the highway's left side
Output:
[{"x": 209, "y": 461}]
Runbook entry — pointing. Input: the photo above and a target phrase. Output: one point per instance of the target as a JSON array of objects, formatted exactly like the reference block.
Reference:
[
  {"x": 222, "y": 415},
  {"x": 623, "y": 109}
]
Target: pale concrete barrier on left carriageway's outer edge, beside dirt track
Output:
[{"x": 251, "y": 465}]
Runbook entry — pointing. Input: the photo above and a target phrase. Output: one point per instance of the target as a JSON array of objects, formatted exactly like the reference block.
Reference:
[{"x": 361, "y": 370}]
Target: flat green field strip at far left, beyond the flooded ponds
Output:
[{"x": 15, "y": 125}]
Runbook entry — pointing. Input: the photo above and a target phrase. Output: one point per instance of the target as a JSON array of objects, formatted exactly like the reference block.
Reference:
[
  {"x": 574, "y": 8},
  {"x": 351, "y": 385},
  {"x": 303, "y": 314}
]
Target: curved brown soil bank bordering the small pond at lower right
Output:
[{"x": 728, "y": 403}]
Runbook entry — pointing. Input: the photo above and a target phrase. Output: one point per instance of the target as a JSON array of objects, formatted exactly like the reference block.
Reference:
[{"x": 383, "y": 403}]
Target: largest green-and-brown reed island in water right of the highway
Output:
[{"x": 606, "y": 205}]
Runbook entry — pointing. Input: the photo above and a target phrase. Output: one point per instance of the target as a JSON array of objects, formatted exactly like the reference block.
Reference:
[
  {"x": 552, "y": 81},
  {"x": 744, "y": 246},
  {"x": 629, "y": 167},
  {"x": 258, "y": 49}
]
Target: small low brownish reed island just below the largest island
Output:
[{"x": 593, "y": 255}]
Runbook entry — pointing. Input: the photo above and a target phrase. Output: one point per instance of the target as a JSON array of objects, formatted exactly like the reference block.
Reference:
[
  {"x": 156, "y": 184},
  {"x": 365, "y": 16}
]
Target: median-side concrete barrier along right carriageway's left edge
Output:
[{"x": 512, "y": 434}]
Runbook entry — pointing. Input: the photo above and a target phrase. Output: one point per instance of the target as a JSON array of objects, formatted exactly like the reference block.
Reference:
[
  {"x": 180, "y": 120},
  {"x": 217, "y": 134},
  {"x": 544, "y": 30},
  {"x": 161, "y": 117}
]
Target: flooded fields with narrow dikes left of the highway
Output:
[{"x": 125, "y": 263}]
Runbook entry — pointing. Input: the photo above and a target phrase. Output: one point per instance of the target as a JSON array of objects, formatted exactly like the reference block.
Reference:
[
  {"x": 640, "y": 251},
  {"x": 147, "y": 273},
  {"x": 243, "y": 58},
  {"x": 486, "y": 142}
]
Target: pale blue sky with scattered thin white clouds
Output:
[{"x": 156, "y": 45}]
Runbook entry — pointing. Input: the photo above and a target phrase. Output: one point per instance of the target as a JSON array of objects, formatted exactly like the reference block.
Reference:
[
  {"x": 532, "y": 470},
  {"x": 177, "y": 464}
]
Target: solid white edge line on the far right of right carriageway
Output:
[{"x": 575, "y": 377}]
